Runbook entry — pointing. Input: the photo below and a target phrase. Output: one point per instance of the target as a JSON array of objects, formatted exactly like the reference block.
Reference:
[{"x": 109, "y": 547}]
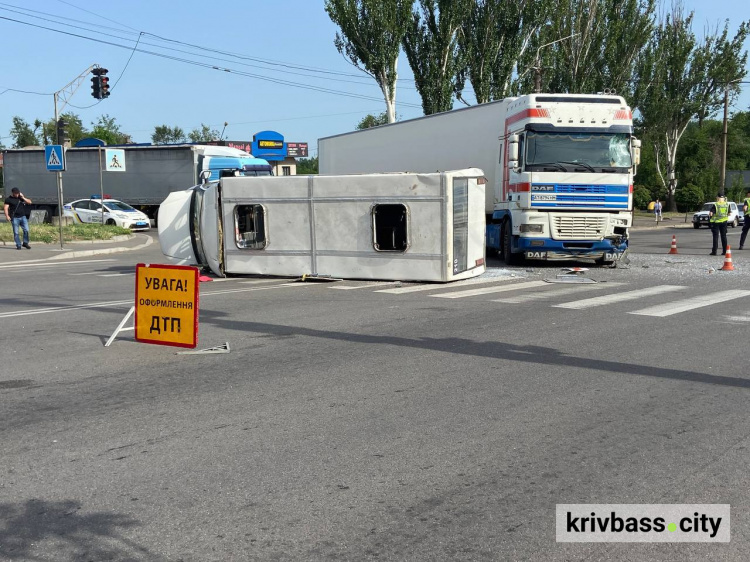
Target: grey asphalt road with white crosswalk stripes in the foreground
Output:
[{"x": 347, "y": 423}]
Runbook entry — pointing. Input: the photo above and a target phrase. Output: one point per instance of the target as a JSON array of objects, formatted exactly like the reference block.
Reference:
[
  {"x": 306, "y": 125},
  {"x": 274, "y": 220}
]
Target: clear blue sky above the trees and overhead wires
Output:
[{"x": 259, "y": 41}]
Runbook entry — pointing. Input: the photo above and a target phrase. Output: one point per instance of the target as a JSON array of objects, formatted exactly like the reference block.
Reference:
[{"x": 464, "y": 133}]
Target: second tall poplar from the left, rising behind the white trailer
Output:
[{"x": 432, "y": 49}]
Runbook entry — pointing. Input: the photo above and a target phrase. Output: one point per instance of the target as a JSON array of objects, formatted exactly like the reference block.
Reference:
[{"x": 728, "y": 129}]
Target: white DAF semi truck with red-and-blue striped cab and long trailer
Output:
[{"x": 559, "y": 168}]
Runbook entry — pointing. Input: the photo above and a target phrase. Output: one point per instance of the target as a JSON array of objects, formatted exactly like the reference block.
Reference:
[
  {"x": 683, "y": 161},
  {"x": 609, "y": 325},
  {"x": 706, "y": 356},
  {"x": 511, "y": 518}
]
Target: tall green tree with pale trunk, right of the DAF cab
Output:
[{"x": 680, "y": 79}]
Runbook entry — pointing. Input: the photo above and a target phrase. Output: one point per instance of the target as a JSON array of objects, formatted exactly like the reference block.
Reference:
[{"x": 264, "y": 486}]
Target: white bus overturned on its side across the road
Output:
[{"x": 402, "y": 226}]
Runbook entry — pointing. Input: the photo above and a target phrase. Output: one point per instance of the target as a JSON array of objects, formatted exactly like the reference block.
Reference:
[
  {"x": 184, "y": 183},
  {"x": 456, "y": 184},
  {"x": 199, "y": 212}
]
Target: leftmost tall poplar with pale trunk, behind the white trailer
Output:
[{"x": 371, "y": 35}]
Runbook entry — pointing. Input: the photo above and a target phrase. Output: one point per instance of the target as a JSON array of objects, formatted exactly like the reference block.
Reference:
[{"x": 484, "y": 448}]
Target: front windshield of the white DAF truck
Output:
[{"x": 579, "y": 152}]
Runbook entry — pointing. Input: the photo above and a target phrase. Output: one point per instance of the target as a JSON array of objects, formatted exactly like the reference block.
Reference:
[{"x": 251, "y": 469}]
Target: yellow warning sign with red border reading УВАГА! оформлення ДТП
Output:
[{"x": 166, "y": 305}]
